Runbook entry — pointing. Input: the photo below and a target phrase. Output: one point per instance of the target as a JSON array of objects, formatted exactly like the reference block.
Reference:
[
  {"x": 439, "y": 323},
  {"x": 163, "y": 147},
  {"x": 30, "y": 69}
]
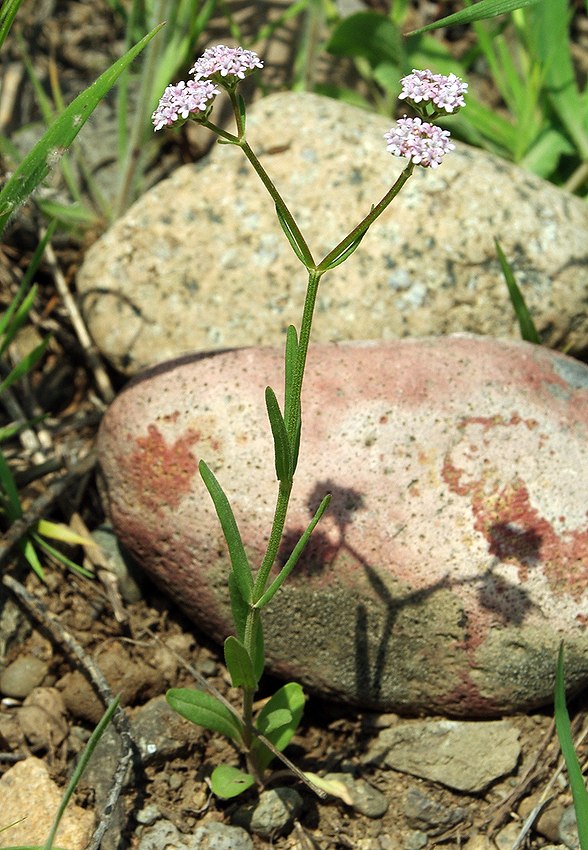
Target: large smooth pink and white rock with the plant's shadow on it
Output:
[{"x": 454, "y": 556}]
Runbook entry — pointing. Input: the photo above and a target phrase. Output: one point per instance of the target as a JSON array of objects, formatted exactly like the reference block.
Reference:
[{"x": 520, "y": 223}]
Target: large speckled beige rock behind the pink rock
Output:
[{"x": 201, "y": 263}]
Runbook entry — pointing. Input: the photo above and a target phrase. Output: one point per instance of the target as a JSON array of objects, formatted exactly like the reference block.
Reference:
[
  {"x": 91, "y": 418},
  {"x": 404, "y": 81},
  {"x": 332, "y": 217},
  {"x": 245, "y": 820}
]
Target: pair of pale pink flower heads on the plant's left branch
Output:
[{"x": 196, "y": 96}]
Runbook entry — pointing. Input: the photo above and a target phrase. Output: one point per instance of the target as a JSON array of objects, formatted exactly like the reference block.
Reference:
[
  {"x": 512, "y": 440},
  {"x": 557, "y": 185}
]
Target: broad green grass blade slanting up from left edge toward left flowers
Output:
[{"x": 46, "y": 153}]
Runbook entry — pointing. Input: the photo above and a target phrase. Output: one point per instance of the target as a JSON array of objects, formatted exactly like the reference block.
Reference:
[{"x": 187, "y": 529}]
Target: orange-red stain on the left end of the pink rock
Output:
[{"x": 163, "y": 471}]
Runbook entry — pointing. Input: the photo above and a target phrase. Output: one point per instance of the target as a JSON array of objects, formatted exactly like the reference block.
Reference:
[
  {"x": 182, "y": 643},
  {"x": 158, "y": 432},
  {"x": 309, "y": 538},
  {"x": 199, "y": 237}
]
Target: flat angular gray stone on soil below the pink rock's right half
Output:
[{"x": 465, "y": 756}]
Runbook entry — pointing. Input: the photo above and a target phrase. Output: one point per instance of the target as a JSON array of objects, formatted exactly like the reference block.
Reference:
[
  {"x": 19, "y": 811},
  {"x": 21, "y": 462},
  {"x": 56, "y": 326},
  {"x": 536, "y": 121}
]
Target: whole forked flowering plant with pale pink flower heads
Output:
[{"x": 250, "y": 589}]
